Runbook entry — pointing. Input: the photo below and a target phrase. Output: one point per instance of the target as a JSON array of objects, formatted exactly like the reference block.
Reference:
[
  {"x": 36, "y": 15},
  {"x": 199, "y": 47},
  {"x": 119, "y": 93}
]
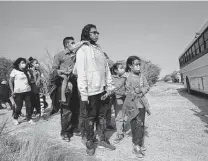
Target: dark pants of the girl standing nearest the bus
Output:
[{"x": 137, "y": 128}]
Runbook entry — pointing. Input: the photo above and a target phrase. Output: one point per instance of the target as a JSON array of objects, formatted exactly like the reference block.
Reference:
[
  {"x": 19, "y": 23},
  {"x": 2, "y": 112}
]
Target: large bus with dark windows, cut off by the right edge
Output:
[{"x": 194, "y": 63}]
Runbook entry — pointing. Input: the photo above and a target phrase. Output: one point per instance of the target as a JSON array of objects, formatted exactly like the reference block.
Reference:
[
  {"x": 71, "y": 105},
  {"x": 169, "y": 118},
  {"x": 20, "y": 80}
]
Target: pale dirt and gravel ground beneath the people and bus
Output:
[{"x": 177, "y": 130}]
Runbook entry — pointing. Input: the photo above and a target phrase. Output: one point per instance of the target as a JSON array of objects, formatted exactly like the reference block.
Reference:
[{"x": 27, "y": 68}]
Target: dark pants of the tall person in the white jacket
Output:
[{"x": 95, "y": 114}]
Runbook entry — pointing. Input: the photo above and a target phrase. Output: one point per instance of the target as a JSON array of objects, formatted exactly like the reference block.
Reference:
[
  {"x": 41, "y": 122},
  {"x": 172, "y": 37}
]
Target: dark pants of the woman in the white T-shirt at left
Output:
[{"x": 19, "y": 98}]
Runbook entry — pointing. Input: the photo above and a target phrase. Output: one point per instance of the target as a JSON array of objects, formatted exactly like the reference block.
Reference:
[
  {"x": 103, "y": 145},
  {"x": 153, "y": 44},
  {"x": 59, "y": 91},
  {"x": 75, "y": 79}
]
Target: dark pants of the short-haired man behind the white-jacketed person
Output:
[{"x": 70, "y": 113}]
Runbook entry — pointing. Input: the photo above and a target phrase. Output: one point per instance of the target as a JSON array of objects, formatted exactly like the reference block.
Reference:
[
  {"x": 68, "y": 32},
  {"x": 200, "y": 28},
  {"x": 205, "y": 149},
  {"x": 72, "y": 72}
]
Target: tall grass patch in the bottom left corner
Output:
[{"x": 34, "y": 148}]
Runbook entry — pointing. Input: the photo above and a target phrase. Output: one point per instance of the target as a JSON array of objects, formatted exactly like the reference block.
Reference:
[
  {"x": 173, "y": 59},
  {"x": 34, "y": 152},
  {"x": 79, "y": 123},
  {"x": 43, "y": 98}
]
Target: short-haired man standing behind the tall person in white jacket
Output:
[{"x": 63, "y": 88}]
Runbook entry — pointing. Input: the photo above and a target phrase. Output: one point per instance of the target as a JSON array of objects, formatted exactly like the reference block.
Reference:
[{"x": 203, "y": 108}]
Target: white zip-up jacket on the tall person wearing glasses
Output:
[{"x": 93, "y": 73}]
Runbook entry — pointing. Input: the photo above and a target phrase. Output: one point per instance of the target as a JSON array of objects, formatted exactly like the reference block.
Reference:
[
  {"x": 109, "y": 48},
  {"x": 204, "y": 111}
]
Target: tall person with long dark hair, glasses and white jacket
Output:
[{"x": 95, "y": 85}]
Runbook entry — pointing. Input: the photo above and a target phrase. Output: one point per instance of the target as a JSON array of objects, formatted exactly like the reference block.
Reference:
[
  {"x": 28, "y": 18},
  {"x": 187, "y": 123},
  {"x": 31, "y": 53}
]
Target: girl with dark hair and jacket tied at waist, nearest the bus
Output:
[{"x": 136, "y": 104}]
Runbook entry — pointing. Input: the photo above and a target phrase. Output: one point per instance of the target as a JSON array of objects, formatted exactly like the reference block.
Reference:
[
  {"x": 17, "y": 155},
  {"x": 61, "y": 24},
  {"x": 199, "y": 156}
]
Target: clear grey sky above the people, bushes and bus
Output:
[{"x": 155, "y": 31}]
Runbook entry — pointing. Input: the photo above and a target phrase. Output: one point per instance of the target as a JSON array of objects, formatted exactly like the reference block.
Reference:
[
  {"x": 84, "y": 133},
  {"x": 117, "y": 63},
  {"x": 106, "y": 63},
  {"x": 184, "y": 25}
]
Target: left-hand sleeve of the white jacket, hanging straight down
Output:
[{"x": 81, "y": 61}]
